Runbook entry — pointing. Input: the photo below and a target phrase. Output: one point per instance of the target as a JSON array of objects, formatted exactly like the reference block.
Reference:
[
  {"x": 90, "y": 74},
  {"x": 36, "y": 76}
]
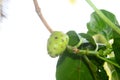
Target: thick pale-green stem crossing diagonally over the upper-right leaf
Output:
[{"x": 112, "y": 25}]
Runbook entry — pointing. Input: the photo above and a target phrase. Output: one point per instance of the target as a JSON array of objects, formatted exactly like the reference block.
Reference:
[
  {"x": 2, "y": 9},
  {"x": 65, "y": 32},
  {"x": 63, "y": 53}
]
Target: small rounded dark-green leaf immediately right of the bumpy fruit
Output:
[{"x": 73, "y": 38}]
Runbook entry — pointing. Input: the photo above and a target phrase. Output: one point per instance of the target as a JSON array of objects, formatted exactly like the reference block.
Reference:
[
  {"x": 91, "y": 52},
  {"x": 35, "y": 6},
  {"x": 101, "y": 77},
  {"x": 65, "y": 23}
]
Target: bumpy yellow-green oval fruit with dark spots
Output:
[{"x": 57, "y": 43}]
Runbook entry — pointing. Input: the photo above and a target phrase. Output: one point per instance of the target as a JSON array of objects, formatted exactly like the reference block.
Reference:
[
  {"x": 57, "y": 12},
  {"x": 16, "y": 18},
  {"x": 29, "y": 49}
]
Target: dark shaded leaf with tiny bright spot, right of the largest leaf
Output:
[{"x": 96, "y": 69}]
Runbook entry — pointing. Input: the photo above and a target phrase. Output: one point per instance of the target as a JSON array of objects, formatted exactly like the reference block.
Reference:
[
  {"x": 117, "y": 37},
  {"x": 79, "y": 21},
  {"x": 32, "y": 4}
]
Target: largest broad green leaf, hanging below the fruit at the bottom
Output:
[{"x": 72, "y": 67}]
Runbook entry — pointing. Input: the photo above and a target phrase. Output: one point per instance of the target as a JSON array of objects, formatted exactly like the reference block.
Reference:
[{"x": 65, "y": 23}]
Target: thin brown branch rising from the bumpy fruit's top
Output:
[{"x": 38, "y": 11}]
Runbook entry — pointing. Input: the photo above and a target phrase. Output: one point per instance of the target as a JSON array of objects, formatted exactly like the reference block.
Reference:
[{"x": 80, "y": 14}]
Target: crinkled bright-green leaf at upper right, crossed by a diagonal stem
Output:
[{"x": 98, "y": 26}]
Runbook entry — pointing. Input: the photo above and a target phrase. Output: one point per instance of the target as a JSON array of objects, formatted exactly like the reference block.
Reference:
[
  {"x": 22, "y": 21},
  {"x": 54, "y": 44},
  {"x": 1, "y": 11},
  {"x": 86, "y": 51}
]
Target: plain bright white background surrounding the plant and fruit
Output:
[{"x": 23, "y": 37}]
